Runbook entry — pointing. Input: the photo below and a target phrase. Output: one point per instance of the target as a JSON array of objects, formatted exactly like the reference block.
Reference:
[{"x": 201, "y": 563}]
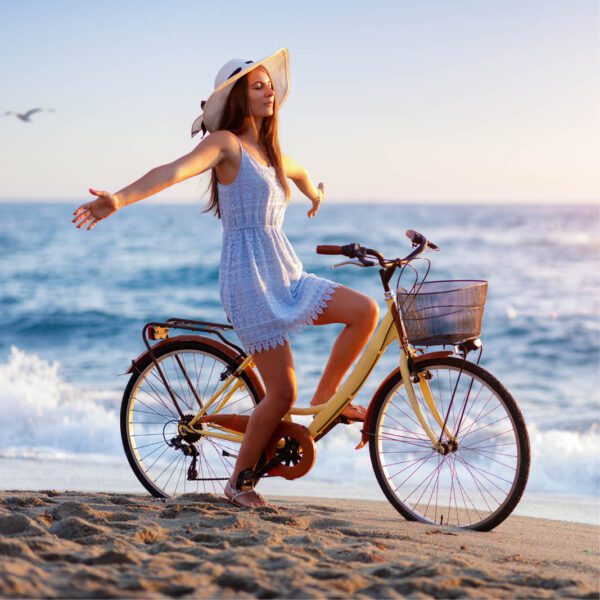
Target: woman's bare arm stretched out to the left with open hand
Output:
[{"x": 206, "y": 155}]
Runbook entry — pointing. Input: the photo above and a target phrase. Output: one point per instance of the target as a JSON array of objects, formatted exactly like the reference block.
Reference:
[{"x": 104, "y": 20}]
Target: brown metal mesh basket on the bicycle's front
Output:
[{"x": 443, "y": 312}]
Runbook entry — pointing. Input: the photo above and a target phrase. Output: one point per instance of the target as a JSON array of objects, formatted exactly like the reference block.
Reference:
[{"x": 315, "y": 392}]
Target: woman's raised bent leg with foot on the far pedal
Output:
[{"x": 360, "y": 314}]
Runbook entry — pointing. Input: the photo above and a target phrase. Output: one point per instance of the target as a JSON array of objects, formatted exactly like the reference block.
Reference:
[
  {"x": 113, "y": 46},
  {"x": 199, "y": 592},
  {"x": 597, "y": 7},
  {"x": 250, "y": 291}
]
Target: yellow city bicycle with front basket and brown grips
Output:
[{"x": 448, "y": 443}]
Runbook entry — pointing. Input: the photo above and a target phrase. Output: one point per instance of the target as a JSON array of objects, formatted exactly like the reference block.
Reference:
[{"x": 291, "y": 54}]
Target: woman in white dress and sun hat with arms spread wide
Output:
[{"x": 264, "y": 290}]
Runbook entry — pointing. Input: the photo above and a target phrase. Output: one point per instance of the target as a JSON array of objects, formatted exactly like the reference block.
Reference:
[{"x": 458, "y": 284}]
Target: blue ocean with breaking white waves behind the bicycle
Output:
[{"x": 74, "y": 303}]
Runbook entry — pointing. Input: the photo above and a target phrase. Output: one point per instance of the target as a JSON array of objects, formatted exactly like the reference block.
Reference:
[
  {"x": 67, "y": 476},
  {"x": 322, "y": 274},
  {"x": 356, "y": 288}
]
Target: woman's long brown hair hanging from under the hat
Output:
[{"x": 236, "y": 118}]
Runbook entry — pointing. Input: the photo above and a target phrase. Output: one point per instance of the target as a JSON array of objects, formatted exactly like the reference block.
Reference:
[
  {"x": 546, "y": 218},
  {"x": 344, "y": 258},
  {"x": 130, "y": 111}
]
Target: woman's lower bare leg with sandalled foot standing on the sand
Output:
[{"x": 276, "y": 367}]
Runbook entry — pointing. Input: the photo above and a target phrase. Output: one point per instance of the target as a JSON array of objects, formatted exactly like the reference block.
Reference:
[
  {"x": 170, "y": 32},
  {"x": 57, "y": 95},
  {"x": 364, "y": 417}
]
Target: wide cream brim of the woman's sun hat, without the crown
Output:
[{"x": 278, "y": 65}]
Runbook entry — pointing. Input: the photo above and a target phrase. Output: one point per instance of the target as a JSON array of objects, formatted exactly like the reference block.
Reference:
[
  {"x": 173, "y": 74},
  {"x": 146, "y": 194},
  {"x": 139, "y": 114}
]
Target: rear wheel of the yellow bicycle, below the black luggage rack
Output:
[{"x": 148, "y": 415}]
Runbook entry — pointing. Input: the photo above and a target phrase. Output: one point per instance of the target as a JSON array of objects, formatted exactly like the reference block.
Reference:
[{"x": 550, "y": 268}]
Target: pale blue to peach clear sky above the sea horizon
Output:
[{"x": 400, "y": 101}]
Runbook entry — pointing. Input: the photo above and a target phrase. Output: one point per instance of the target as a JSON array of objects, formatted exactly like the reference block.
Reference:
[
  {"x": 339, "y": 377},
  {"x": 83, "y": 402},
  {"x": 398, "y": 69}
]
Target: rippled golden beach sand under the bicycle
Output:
[{"x": 92, "y": 545}]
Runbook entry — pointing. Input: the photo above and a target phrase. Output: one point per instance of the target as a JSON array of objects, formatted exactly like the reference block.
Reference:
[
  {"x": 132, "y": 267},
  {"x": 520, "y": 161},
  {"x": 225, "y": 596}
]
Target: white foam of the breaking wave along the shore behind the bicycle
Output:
[{"x": 45, "y": 417}]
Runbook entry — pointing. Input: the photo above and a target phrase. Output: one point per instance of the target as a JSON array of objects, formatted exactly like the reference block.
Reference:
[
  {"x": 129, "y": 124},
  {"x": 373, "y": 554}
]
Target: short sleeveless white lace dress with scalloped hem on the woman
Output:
[{"x": 264, "y": 289}]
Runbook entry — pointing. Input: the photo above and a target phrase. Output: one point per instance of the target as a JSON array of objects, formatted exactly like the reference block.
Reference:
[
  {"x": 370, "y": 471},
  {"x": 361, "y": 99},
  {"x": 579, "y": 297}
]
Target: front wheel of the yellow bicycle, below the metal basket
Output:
[{"x": 475, "y": 486}]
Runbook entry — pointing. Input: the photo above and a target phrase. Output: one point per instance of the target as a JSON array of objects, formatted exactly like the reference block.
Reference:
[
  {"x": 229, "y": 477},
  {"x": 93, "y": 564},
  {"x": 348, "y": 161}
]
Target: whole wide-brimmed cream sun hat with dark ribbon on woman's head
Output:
[{"x": 278, "y": 65}]
